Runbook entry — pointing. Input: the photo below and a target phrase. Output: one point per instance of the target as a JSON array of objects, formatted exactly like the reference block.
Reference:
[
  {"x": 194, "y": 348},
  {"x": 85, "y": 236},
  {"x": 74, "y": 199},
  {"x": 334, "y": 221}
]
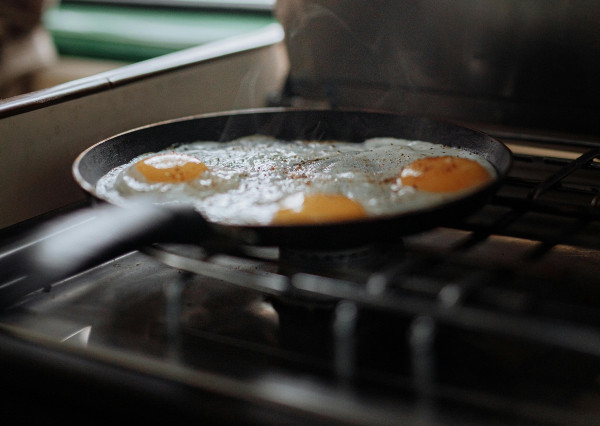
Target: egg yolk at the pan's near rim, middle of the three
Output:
[{"x": 321, "y": 208}]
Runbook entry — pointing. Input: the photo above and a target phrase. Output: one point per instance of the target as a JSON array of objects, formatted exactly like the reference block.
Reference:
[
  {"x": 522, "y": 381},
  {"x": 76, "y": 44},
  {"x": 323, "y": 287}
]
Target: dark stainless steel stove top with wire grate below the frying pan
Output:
[{"x": 494, "y": 320}]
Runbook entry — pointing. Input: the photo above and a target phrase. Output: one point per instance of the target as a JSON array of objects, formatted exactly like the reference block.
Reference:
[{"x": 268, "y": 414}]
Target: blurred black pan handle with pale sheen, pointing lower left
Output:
[{"x": 91, "y": 236}]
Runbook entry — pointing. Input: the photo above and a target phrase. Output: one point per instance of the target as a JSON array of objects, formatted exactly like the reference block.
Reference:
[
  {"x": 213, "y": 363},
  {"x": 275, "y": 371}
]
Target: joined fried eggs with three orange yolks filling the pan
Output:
[{"x": 259, "y": 180}]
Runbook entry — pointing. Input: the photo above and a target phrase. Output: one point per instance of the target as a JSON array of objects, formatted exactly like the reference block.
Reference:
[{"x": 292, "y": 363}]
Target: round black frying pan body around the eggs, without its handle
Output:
[{"x": 301, "y": 124}]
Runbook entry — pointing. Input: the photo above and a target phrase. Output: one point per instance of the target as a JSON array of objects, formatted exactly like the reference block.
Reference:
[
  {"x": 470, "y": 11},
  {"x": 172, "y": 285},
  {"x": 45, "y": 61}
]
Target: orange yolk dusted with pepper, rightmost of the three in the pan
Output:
[{"x": 444, "y": 174}]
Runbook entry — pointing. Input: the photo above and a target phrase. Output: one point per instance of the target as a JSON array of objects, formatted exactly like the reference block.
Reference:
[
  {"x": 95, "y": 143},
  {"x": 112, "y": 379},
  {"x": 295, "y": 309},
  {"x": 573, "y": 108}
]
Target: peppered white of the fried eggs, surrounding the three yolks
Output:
[{"x": 249, "y": 179}]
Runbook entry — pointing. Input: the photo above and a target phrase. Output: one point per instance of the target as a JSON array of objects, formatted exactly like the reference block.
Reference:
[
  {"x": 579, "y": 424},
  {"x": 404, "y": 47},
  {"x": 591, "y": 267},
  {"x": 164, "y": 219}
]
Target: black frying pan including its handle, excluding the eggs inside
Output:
[{"x": 116, "y": 228}]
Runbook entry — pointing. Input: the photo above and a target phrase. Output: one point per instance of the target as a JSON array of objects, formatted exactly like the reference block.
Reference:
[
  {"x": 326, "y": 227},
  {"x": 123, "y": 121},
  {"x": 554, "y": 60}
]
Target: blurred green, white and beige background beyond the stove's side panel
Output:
[{"x": 48, "y": 42}]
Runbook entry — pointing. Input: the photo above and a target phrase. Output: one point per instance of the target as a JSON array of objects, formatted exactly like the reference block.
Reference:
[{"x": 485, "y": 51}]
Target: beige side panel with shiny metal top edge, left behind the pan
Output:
[{"x": 41, "y": 133}]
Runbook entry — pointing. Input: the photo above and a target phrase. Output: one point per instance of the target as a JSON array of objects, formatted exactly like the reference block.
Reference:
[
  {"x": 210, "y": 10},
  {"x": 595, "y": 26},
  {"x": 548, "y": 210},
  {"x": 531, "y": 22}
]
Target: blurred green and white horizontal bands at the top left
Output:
[{"x": 135, "y": 30}]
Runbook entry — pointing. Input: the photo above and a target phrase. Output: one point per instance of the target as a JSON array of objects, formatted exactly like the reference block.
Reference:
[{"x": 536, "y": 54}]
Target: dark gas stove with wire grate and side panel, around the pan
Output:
[{"x": 492, "y": 320}]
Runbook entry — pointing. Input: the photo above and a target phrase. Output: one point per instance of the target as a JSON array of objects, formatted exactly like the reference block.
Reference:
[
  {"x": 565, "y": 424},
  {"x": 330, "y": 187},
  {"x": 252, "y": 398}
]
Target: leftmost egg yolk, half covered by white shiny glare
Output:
[{"x": 171, "y": 168}]
